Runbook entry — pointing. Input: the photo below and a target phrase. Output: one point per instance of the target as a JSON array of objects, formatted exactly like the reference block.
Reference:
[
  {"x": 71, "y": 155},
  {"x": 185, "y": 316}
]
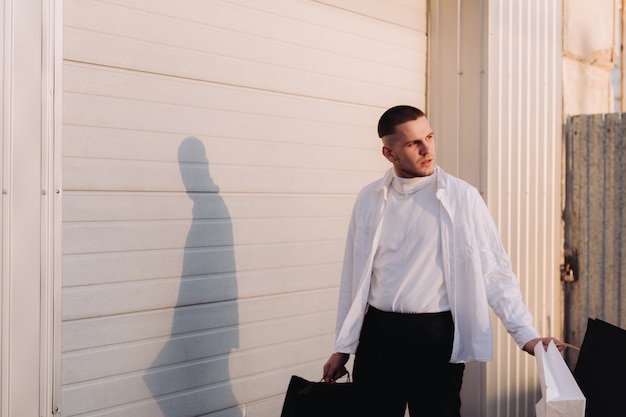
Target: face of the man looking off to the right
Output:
[{"x": 411, "y": 149}]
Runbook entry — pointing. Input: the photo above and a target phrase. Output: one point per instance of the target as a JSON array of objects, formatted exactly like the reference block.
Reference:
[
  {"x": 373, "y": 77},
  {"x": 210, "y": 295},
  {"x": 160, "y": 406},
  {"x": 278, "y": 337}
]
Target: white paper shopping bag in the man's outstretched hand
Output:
[{"x": 561, "y": 396}]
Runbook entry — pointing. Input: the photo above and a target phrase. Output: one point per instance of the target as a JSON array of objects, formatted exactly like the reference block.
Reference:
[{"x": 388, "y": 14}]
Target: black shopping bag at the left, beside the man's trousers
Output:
[{"x": 307, "y": 399}]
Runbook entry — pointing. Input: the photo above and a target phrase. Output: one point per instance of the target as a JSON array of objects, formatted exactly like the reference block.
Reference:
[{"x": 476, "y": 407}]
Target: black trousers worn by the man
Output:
[{"x": 402, "y": 359}]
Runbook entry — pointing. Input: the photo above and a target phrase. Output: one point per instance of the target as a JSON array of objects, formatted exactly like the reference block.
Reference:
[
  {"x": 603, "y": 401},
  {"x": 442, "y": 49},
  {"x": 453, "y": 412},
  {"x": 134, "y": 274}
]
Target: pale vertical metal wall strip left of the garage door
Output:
[{"x": 30, "y": 208}]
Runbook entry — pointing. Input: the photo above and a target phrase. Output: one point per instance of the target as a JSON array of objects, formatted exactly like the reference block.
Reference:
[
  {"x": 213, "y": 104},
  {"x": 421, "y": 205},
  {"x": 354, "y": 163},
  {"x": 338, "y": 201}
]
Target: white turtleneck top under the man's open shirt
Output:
[{"x": 407, "y": 276}]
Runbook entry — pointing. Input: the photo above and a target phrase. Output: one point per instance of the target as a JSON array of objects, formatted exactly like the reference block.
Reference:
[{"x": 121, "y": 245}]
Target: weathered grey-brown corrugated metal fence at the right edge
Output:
[{"x": 594, "y": 224}]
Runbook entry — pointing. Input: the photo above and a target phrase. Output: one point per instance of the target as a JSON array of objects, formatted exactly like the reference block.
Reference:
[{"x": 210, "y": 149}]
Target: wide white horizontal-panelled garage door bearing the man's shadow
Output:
[{"x": 212, "y": 152}]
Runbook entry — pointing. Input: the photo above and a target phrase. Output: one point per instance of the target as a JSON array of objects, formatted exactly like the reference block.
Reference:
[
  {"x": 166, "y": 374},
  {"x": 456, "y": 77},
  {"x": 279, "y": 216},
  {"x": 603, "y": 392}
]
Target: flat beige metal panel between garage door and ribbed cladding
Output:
[{"x": 455, "y": 109}]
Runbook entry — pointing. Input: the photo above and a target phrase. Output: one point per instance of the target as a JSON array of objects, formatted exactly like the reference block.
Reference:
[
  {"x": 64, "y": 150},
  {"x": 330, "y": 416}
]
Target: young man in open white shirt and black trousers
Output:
[{"x": 423, "y": 263}]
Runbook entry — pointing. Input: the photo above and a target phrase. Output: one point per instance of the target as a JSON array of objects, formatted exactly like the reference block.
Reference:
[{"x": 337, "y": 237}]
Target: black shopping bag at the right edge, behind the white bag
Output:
[{"x": 601, "y": 369}]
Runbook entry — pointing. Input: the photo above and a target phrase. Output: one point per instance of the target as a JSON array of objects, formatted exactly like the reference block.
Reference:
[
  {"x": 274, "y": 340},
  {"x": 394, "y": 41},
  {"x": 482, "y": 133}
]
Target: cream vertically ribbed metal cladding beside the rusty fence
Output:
[{"x": 523, "y": 178}]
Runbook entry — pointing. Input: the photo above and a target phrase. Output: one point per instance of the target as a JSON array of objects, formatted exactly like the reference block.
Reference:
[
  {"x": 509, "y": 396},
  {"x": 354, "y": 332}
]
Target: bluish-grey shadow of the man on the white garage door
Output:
[{"x": 190, "y": 376}]
